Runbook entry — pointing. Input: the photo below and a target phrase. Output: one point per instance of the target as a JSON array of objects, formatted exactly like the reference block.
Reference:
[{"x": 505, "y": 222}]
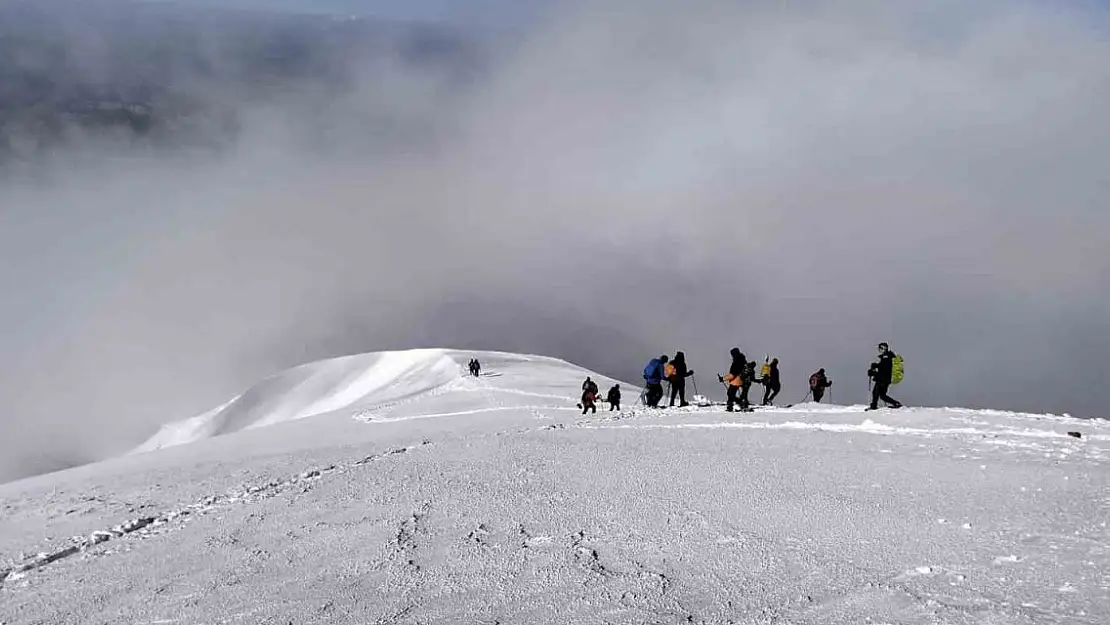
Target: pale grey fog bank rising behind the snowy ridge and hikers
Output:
[{"x": 621, "y": 180}]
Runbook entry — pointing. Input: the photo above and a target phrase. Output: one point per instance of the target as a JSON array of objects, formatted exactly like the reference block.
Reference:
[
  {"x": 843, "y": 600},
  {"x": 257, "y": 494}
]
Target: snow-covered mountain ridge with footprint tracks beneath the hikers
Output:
[{"x": 395, "y": 489}]
